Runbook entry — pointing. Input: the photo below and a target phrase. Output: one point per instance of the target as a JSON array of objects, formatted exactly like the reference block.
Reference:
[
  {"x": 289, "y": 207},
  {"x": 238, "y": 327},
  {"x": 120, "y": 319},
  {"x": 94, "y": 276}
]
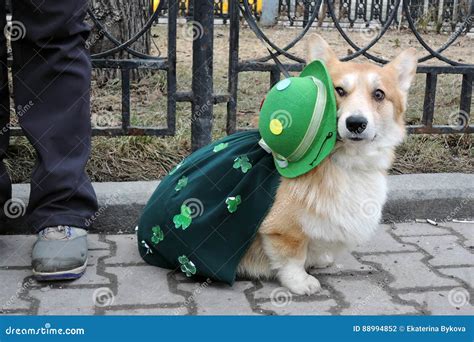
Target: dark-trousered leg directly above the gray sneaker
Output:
[{"x": 51, "y": 75}]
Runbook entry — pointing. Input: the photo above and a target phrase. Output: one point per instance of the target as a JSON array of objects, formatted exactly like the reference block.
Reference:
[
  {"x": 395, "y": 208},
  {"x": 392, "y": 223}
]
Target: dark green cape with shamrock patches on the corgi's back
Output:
[{"x": 205, "y": 214}]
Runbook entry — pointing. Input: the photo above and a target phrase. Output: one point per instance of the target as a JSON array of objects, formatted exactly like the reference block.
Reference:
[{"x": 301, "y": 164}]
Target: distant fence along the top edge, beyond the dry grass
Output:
[{"x": 433, "y": 14}]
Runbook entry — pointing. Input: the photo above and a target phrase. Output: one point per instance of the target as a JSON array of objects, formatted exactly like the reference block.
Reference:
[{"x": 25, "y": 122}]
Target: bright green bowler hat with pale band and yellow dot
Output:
[{"x": 298, "y": 121}]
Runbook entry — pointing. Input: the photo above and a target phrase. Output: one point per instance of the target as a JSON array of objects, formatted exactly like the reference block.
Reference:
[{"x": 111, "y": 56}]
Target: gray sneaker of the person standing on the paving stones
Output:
[{"x": 60, "y": 253}]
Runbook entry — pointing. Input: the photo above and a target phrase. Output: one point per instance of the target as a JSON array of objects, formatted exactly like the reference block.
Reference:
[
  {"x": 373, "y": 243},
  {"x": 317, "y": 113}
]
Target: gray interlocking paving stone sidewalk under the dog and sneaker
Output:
[{"x": 407, "y": 268}]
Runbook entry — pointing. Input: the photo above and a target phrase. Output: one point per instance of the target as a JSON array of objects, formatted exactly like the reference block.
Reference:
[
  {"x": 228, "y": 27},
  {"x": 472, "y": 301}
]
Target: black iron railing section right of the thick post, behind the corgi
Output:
[{"x": 264, "y": 64}]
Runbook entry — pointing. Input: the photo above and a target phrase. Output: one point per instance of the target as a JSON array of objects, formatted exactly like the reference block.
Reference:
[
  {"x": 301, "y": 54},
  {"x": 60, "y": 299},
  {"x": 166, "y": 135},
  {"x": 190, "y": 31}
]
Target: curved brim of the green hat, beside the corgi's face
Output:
[{"x": 326, "y": 137}]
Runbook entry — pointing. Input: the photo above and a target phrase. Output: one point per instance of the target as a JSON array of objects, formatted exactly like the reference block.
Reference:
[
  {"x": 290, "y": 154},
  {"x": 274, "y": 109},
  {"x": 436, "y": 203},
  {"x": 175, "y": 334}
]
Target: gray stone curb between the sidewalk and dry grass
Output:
[{"x": 417, "y": 196}]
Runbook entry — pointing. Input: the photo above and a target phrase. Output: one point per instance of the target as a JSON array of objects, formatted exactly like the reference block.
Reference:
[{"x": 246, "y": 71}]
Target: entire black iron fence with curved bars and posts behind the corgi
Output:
[{"x": 201, "y": 95}]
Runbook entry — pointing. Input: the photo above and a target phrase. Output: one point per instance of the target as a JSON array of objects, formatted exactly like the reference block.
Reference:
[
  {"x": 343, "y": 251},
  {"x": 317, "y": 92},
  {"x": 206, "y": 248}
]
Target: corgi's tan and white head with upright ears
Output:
[{"x": 371, "y": 99}]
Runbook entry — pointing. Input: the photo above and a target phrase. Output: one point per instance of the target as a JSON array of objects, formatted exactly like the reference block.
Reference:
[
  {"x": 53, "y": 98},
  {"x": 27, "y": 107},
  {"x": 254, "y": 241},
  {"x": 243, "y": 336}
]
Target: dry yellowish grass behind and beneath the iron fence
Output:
[{"x": 144, "y": 158}]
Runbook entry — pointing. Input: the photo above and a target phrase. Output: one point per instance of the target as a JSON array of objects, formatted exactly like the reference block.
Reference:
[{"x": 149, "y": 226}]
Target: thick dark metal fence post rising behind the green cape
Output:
[{"x": 202, "y": 83}]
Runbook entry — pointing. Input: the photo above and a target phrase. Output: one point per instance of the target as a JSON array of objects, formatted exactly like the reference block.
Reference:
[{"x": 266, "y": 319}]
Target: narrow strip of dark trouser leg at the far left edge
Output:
[{"x": 5, "y": 183}]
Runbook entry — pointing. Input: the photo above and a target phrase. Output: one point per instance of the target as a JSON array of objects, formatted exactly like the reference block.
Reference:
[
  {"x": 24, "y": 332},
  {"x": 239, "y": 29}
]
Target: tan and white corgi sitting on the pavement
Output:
[{"x": 338, "y": 204}]
